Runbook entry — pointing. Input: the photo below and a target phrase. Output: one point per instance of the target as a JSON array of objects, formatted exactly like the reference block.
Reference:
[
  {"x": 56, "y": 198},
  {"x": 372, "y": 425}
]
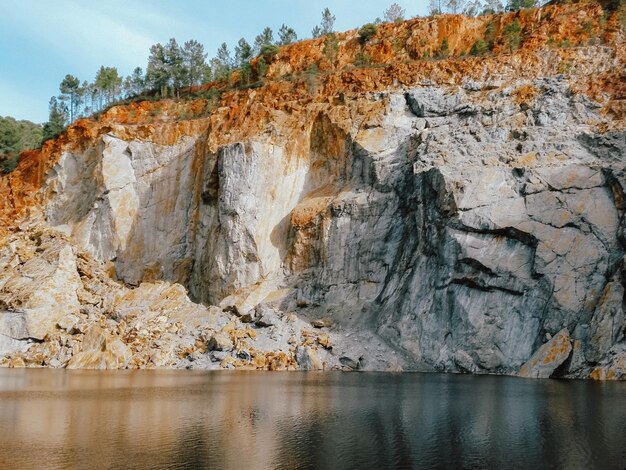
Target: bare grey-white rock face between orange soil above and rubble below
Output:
[{"x": 461, "y": 225}]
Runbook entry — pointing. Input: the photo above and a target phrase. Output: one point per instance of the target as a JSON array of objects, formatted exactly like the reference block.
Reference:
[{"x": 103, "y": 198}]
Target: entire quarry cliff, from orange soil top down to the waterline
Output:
[{"x": 449, "y": 214}]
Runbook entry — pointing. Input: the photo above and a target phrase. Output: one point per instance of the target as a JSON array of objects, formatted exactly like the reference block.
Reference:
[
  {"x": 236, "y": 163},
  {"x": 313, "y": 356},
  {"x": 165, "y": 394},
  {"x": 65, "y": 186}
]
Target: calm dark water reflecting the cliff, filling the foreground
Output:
[{"x": 119, "y": 420}]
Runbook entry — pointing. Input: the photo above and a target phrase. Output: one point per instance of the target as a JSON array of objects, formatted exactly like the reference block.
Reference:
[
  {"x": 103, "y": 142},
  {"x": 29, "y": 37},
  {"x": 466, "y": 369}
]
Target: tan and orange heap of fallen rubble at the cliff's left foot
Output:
[{"x": 151, "y": 325}]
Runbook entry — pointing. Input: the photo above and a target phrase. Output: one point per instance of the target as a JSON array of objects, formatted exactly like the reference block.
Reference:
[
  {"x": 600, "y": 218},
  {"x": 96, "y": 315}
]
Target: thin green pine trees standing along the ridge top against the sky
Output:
[{"x": 173, "y": 68}]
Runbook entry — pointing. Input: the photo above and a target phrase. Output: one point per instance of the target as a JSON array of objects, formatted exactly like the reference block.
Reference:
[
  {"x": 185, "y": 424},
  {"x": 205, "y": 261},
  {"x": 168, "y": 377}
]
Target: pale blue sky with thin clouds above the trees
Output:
[{"x": 43, "y": 40}]
